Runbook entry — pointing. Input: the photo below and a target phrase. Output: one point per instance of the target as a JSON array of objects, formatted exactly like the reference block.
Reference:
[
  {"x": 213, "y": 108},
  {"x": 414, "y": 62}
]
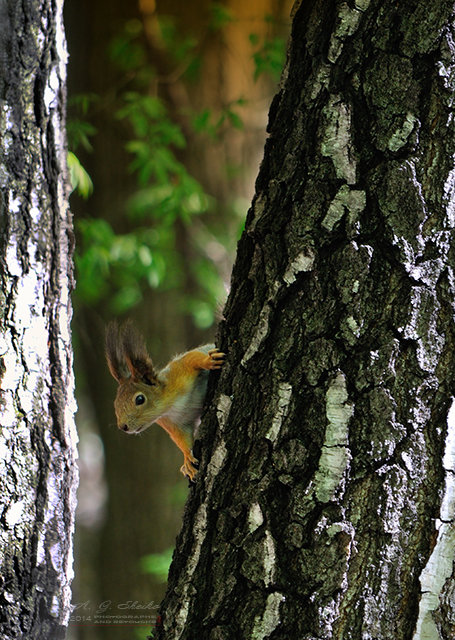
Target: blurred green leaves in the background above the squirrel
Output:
[{"x": 116, "y": 267}]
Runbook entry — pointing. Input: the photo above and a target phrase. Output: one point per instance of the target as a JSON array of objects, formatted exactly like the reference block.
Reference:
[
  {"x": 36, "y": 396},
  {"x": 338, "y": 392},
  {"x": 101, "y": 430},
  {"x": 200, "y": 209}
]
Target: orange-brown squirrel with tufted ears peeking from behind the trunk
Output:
[{"x": 172, "y": 397}]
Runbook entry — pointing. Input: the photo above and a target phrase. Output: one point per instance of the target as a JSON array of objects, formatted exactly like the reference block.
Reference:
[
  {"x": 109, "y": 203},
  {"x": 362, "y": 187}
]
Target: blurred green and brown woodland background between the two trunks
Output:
[{"x": 168, "y": 106}]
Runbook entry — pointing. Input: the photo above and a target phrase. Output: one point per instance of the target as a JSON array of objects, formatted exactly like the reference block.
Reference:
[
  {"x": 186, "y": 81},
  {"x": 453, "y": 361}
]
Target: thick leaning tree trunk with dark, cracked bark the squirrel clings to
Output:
[{"x": 324, "y": 504}]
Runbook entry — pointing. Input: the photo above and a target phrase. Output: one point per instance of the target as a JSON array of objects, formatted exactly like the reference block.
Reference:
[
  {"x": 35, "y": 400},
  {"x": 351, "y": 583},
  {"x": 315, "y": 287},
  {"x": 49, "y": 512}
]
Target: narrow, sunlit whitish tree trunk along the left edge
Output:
[{"x": 37, "y": 437}]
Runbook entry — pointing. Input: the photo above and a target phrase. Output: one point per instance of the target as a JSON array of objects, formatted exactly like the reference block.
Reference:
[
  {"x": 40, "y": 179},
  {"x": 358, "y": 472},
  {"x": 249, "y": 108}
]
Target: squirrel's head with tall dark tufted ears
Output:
[{"x": 137, "y": 404}]
